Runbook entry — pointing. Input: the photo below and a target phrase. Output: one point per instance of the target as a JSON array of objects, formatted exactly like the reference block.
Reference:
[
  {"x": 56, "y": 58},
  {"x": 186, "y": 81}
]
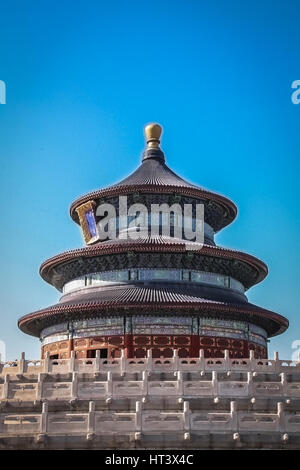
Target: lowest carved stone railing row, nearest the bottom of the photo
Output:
[{"x": 139, "y": 421}]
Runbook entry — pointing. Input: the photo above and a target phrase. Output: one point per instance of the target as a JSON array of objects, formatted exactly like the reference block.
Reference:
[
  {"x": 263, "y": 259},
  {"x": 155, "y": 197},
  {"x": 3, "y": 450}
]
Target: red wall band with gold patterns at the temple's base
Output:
[{"x": 161, "y": 344}]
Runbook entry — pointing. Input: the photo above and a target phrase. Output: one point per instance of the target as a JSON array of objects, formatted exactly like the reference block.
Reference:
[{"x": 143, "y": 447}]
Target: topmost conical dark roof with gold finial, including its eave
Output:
[{"x": 154, "y": 176}]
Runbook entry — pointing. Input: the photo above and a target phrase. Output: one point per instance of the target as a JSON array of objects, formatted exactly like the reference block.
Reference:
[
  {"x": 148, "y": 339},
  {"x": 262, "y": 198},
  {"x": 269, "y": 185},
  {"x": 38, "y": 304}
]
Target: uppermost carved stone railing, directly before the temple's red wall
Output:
[{"x": 174, "y": 364}]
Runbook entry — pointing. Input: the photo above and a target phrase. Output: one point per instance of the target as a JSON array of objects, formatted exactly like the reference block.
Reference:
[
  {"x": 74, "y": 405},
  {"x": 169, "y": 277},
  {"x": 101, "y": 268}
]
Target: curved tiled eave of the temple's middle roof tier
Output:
[{"x": 160, "y": 245}]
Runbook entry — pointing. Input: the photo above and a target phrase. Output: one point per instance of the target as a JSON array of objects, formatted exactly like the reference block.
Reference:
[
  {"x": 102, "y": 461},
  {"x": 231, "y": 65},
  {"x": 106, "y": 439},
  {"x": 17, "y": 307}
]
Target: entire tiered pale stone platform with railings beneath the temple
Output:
[{"x": 175, "y": 403}]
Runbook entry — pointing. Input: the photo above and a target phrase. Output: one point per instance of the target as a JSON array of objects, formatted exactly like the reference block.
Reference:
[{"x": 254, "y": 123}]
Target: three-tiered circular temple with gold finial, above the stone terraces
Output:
[{"x": 151, "y": 291}]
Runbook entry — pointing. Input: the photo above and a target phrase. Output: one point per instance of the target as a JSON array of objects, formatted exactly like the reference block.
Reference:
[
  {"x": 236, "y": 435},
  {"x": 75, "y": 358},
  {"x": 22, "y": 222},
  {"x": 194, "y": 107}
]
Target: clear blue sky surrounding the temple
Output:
[{"x": 83, "y": 78}]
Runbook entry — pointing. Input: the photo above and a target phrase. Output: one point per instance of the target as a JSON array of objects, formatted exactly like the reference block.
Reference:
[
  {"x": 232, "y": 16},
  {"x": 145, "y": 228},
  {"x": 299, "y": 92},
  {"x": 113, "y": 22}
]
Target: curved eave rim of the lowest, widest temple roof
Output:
[{"x": 32, "y": 323}]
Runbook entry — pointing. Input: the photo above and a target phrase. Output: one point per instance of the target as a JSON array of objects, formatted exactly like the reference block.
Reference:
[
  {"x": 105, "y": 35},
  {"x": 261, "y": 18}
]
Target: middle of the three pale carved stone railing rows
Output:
[{"x": 44, "y": 387}]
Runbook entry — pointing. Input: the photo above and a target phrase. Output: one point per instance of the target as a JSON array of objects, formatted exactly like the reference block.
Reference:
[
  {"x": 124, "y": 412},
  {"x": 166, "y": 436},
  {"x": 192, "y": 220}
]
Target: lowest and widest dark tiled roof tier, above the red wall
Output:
[{"x": 147, "y": 299}]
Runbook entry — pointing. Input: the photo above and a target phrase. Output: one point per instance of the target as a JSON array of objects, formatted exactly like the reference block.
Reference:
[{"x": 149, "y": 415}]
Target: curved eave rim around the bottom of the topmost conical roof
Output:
[{"x": 226, "y": 203}]
